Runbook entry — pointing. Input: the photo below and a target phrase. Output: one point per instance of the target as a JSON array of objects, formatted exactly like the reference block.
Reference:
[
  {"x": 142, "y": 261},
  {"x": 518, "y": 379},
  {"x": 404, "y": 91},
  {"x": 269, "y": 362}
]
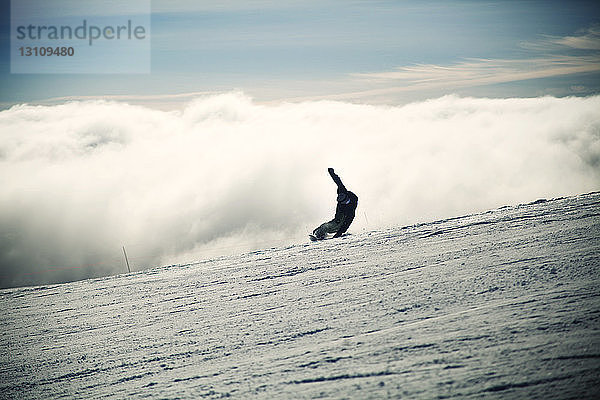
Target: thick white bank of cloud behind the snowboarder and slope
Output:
[{"x": 224, "y": 174}]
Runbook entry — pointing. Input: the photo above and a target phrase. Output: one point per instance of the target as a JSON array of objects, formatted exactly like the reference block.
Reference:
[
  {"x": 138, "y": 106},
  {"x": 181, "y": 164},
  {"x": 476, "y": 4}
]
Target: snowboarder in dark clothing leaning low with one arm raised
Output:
[{"x": 344, "y": 212}]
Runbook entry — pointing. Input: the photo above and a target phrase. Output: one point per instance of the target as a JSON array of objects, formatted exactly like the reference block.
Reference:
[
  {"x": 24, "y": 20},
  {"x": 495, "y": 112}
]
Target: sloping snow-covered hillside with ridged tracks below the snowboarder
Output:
[{"x": 504, "y": 304}]
